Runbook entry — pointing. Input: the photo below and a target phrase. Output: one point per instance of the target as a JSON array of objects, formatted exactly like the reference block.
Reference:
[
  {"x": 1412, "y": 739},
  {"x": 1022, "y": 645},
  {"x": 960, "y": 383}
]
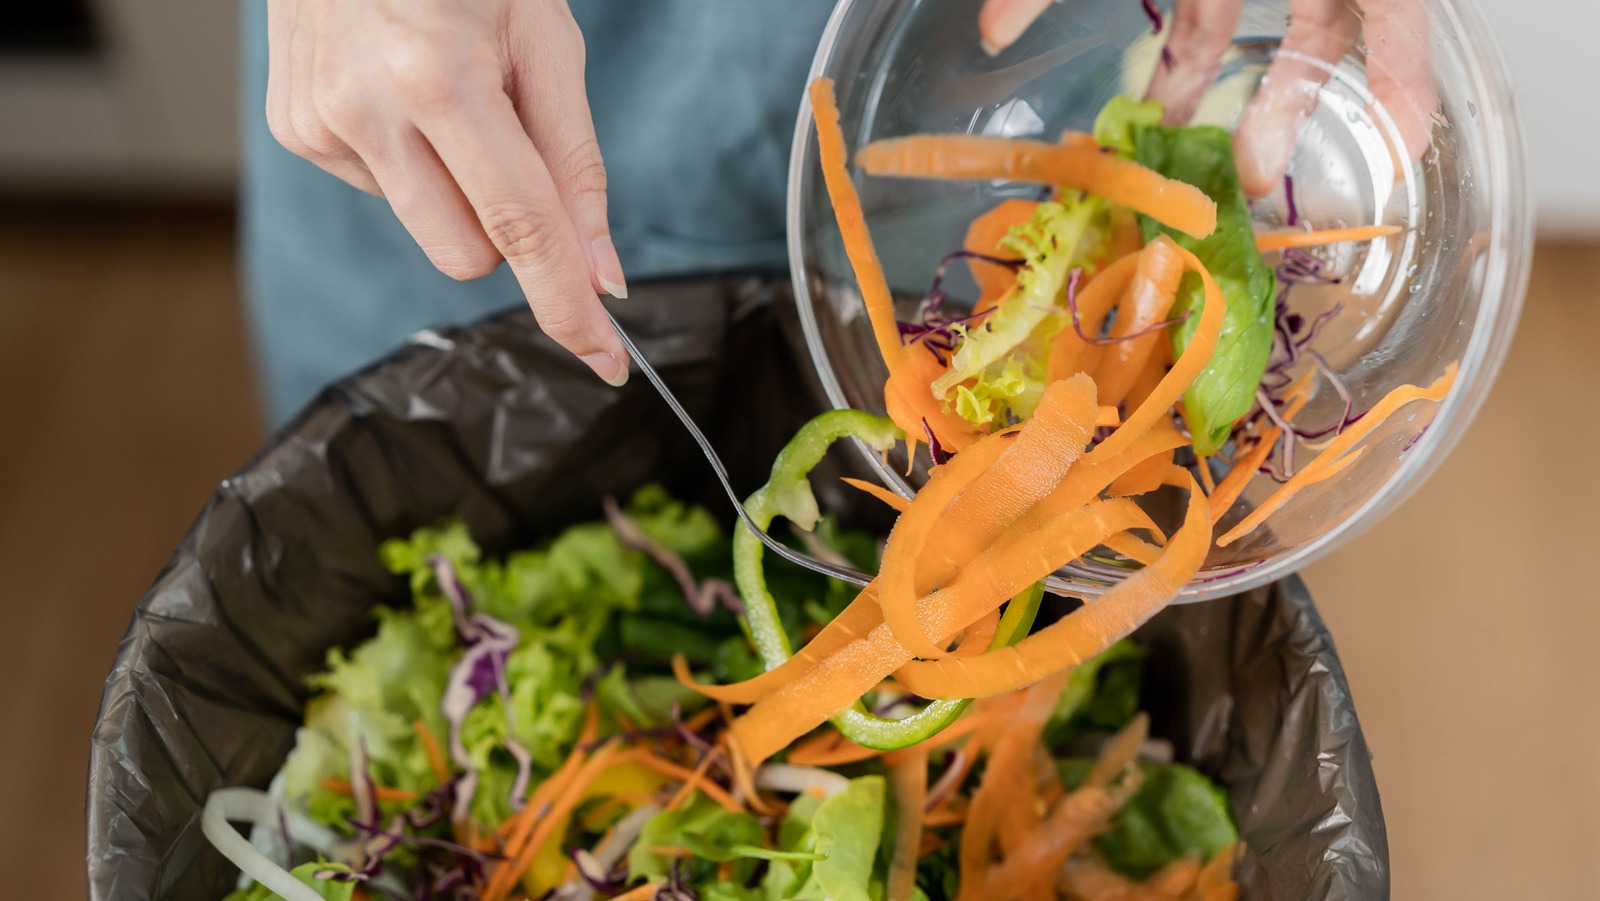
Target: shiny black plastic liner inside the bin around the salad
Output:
[{"x": 497, "y": 425}]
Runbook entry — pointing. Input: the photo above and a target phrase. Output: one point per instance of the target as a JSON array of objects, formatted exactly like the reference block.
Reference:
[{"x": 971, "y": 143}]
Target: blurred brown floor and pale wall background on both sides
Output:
[{"x": 1468, "y": 622}]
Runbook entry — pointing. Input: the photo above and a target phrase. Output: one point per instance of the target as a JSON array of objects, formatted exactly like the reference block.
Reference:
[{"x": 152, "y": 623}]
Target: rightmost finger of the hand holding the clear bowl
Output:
[{"x": 1401, "y": 70}]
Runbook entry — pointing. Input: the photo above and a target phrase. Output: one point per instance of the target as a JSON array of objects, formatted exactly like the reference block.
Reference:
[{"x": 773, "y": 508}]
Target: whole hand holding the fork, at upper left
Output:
[{"x": 471, "y": 119}]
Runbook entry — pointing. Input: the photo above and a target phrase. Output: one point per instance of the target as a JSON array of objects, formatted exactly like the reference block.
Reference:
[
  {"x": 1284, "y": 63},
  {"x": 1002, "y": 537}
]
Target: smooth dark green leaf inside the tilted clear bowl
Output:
[{"x": 1225, "y": 391}]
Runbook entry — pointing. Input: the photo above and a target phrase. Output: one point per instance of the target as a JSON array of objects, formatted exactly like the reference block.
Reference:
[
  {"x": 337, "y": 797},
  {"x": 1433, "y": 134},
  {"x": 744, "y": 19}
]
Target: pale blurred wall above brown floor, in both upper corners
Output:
[{"x": 161, "y": 114}]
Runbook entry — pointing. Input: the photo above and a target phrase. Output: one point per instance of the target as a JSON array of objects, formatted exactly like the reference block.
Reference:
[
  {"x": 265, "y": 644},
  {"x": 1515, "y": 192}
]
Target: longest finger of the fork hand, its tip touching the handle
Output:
[{"x": 476, "y": 132}]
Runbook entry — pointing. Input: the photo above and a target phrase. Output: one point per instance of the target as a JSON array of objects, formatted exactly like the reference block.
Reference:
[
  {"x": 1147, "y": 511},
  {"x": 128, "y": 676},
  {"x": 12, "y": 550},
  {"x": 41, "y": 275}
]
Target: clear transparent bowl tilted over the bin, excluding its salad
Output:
[{"x": 1449, "y": 287}]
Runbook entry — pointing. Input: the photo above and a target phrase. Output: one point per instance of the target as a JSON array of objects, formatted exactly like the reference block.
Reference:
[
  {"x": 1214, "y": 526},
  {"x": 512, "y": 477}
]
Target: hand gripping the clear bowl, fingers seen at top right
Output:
[{"x": 1399, "y": 70}]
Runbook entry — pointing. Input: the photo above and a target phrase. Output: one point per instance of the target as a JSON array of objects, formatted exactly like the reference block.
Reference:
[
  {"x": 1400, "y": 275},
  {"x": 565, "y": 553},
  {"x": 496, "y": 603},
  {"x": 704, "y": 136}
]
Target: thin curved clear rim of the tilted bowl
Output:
[{"x": 1510, "y": 255}]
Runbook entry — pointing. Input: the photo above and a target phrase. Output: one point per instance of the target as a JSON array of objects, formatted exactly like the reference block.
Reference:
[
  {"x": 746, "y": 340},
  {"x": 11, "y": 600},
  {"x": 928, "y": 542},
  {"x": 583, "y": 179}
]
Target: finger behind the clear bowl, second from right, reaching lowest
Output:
[{"x": 1321, "y": 34}]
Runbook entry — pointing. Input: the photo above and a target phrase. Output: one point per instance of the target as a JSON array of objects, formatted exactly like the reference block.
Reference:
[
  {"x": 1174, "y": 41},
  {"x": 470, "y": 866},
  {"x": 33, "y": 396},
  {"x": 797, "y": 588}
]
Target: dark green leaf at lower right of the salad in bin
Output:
[{"x": 1178, "y": 812}]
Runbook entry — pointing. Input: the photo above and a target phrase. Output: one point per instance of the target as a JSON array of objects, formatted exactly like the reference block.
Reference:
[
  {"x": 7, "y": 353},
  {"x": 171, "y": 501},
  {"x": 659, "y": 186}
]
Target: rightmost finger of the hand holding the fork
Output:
[{"x": 554, "y": 111}]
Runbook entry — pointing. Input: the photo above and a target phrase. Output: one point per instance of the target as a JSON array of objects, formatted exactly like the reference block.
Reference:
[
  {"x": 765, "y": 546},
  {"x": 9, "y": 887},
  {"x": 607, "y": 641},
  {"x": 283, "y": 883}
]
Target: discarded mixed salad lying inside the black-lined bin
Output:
[{"x": 519, "y": 732}]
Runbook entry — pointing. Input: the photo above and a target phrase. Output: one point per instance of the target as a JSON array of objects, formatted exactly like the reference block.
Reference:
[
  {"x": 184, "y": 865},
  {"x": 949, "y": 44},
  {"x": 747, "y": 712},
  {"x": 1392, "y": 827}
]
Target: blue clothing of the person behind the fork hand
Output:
[{"x": 695, "y": 106}]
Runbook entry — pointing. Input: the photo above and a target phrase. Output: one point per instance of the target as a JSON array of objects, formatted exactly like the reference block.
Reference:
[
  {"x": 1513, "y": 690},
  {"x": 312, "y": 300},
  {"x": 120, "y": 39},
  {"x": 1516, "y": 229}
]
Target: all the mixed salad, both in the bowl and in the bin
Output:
[{"x": 644, "y": 710}]
